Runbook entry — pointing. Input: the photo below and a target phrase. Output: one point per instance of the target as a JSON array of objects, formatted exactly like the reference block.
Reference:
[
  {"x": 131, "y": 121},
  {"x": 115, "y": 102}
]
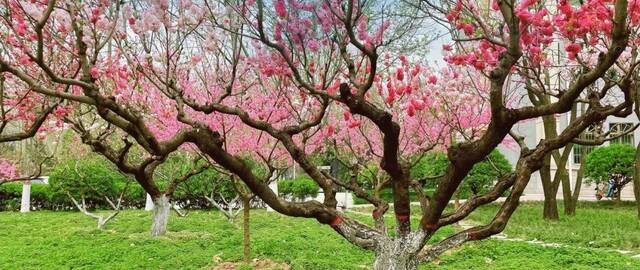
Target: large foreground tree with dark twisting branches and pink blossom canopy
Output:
[{"x": 281, "y": 80}]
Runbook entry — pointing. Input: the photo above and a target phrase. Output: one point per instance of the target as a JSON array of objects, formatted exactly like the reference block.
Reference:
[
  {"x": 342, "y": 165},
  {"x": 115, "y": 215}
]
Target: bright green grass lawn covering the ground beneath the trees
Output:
[{"x": 65, "y": 240}]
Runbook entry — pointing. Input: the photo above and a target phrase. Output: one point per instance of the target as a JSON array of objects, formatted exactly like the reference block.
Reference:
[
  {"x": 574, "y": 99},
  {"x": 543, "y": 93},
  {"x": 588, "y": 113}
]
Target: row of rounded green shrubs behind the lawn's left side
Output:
[{"x": 91, "y": 176}]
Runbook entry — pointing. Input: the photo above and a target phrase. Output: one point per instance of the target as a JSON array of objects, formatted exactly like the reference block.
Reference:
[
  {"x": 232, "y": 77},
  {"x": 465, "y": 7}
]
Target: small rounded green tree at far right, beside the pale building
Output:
[{"x": 613, "y": 163}]
